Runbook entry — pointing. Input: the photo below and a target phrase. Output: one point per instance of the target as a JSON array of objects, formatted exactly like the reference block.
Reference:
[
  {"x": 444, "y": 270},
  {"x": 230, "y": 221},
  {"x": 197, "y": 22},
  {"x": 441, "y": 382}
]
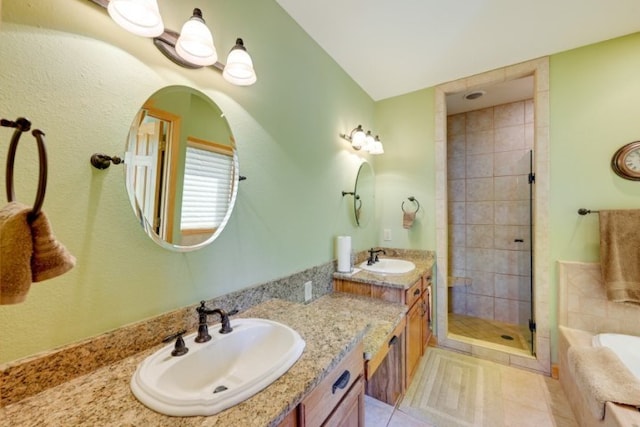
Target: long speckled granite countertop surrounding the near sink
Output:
[{"x": 331, "y": 326}]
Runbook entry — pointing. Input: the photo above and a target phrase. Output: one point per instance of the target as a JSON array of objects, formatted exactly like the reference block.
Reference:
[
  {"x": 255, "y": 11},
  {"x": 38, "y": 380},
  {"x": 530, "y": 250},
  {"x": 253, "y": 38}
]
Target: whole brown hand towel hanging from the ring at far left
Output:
[{"x": 29, "y": 252}]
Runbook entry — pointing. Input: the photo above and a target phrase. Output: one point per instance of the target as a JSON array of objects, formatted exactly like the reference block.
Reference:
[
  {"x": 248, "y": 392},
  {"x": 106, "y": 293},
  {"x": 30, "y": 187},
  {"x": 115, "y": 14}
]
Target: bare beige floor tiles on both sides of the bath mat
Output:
[{"x": 530, "y": 400}]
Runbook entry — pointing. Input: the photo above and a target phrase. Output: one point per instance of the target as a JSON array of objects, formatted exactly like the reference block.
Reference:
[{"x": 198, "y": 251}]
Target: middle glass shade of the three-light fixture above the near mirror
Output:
[{"x": 195, "y": 43}]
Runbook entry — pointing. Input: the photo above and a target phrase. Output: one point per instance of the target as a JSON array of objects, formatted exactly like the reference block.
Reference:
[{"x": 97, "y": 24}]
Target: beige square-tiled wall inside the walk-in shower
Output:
[{"x": 488, "y": 196}]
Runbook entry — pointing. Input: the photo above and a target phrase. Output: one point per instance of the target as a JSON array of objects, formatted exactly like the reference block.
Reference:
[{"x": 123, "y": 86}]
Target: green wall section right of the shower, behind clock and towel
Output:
[{"x": 594, "y": 111}]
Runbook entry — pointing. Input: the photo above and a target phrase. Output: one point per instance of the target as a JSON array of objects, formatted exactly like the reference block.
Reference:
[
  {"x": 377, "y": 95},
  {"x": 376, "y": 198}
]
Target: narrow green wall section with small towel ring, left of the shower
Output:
[{"x": 406, "y": 126}]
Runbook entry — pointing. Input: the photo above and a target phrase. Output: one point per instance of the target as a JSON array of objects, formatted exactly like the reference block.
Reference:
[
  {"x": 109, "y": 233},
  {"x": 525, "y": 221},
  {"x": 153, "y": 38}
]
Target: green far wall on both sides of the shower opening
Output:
[{"x": 594, "y": 110}]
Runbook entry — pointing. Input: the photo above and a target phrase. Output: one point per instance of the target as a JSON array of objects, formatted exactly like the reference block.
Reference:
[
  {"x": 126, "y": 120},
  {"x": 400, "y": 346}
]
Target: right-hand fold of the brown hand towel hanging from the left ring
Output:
[{"x": 50, "y": 258}]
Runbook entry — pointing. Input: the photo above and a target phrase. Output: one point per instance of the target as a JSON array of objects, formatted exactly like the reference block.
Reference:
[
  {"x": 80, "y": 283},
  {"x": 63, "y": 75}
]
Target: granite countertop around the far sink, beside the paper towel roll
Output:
[{"x": 404, "y": 281}]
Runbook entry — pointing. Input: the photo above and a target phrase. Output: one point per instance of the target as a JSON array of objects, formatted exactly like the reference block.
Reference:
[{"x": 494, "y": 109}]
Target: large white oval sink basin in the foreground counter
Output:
[{"x": 220, "y": 373}]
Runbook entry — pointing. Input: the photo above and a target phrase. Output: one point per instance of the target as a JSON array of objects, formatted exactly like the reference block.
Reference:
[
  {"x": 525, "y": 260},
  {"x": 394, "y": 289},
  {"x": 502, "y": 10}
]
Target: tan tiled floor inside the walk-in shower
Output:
[{"x": 491, "y": 331}]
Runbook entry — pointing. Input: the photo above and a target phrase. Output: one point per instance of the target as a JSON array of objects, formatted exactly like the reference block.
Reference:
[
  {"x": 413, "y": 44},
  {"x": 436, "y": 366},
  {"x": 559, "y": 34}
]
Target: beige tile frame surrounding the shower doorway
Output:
[{"x": 539, "y": 68}]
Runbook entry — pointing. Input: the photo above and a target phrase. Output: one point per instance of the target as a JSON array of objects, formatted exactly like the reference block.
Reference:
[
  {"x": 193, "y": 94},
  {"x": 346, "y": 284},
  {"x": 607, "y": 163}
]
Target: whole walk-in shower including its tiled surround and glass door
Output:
[{"x": 516, "y": 287}]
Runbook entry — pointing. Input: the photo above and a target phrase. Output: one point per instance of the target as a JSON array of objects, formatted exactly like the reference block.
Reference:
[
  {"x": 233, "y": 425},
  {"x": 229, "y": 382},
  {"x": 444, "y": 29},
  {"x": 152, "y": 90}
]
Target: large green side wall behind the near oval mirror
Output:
[{"x": 65, "y": 65}]
